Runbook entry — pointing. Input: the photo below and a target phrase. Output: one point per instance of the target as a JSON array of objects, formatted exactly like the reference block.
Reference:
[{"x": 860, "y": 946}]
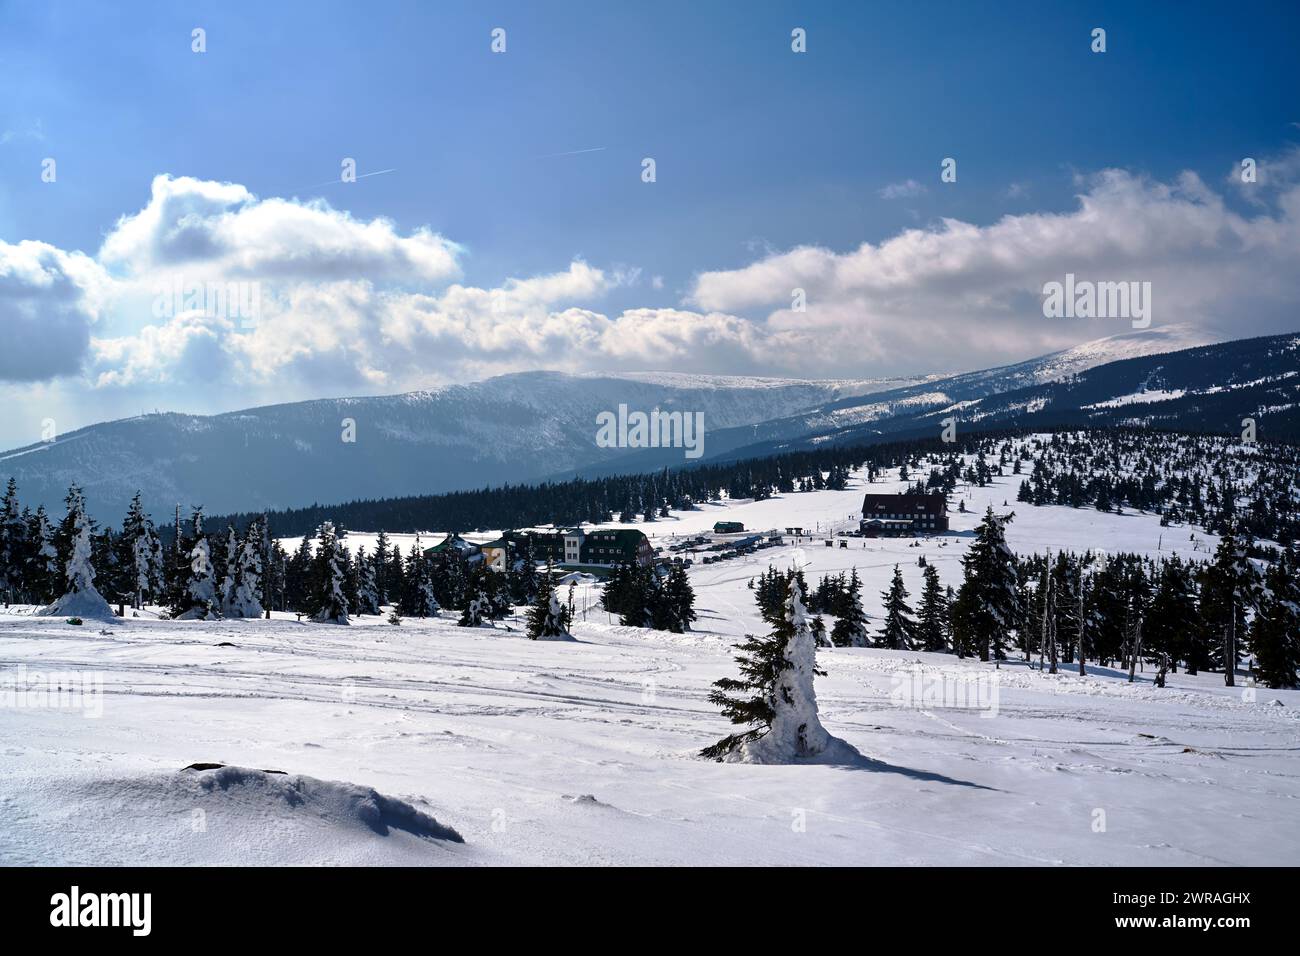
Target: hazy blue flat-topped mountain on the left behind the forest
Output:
[{"x": 506, "y": 430}]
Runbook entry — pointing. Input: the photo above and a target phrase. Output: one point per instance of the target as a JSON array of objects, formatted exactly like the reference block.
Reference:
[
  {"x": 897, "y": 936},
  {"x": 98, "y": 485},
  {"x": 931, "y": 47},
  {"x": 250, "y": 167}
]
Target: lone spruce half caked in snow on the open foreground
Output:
[{"x": 774, "y": 698}]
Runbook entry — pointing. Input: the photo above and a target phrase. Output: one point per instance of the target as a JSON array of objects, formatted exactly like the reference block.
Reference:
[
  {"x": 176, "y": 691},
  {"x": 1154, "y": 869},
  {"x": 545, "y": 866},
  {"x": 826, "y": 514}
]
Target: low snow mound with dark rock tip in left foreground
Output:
[{"x": 215, "y": 815}]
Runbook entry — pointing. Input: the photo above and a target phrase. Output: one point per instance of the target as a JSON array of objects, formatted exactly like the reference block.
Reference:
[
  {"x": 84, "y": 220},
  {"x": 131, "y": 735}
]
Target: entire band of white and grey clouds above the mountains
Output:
[{"x": 348, "y": 305}]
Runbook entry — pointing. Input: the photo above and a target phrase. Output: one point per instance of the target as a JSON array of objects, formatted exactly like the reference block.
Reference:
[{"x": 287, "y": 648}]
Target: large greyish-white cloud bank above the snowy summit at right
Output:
[{"x": 963, "y": 295}]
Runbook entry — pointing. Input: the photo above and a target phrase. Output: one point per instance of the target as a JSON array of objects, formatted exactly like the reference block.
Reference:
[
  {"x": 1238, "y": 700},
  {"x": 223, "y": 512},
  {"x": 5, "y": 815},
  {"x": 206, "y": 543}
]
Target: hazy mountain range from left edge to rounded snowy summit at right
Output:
[{"x": 514, "y": 429}]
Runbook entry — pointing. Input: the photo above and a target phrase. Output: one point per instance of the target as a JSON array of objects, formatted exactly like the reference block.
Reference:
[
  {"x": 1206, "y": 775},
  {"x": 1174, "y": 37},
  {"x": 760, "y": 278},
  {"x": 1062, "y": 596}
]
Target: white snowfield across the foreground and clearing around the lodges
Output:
[{"x": 398, "y": 743}]
